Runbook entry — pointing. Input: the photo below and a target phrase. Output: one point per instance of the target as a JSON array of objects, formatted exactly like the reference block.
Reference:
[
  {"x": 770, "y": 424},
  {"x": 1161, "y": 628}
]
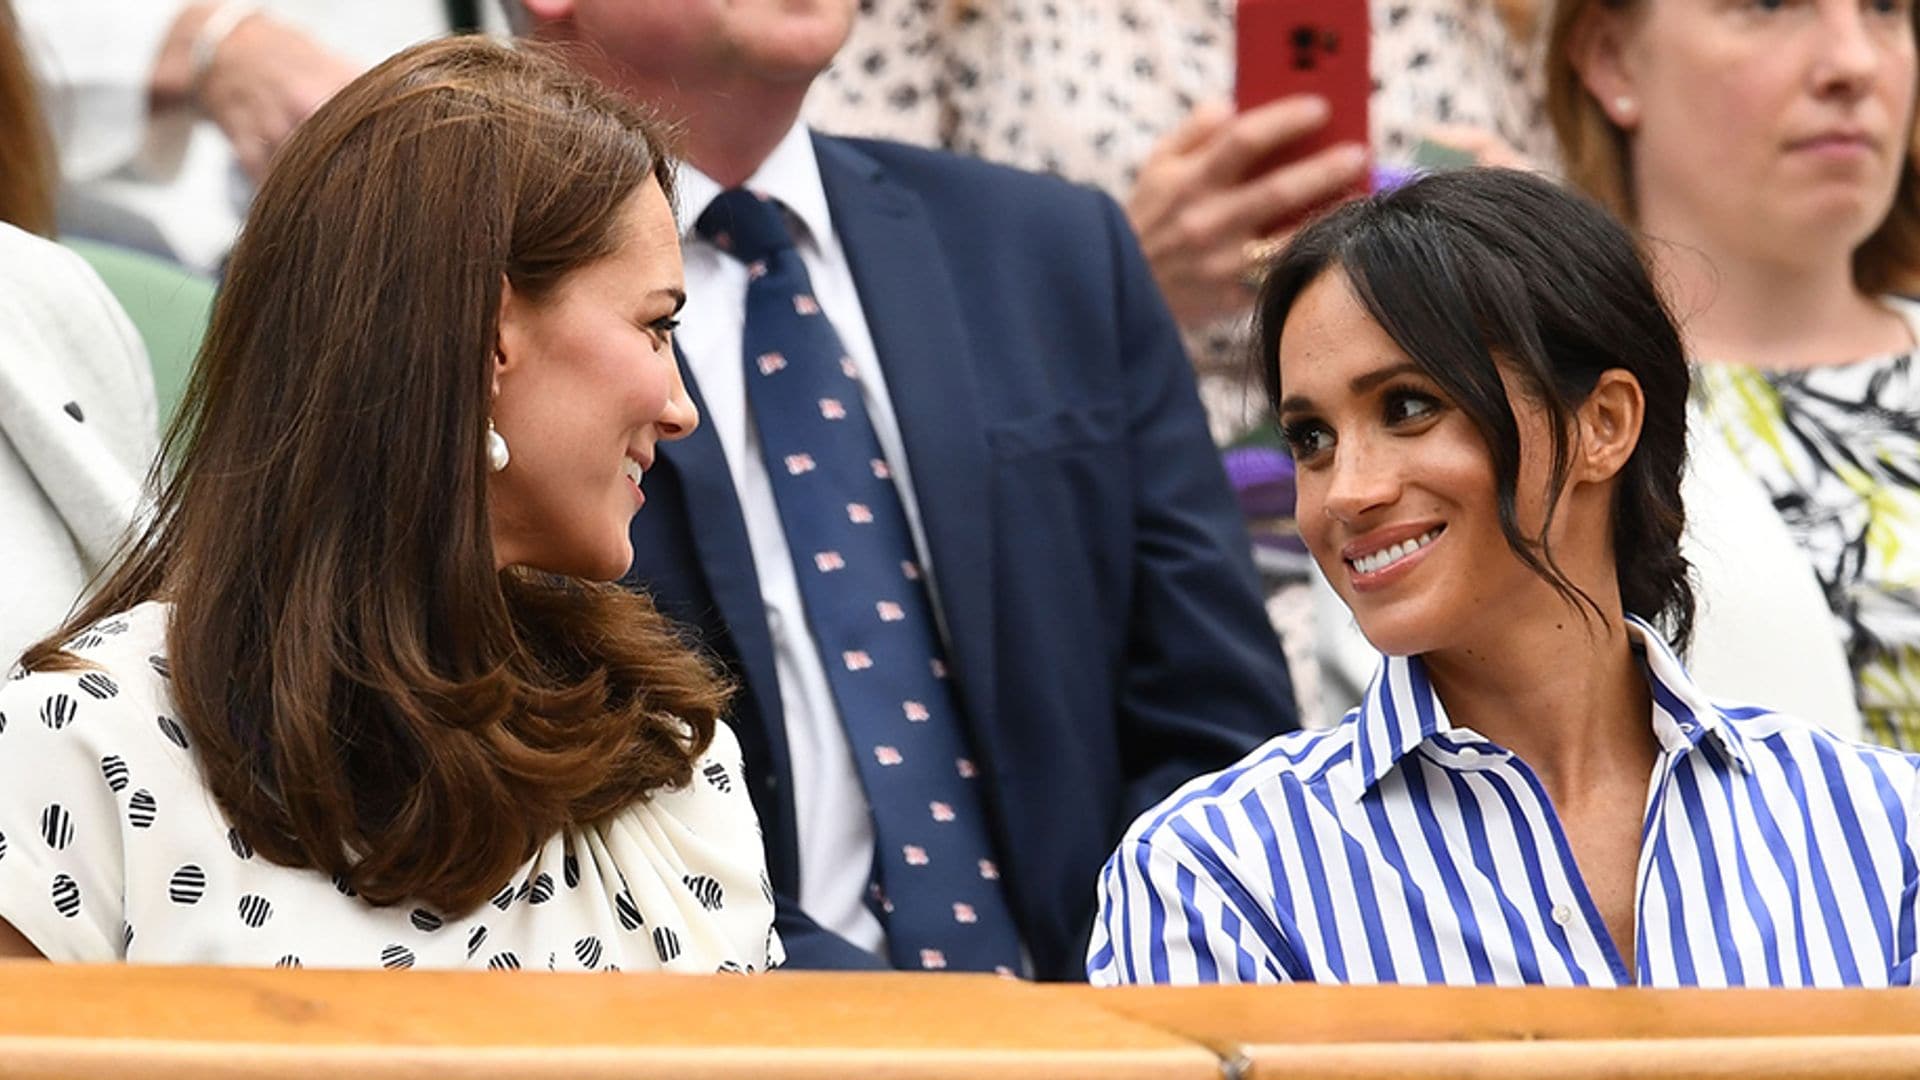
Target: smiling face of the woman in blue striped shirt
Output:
[{"x": 1397, "y": 495}]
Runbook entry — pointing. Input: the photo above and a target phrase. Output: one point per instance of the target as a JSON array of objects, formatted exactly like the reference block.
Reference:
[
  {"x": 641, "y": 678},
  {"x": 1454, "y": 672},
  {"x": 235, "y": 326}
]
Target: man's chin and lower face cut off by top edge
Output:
[{"x": 690, "y": 43}]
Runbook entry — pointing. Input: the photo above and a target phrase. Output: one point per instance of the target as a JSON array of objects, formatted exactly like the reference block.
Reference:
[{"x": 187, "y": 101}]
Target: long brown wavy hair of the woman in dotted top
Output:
[{"x": 368, "y": 697}]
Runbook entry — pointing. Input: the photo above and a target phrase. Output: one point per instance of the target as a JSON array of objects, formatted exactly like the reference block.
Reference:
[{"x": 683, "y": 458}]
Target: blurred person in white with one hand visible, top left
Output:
[{"x": 168, "y": 114}]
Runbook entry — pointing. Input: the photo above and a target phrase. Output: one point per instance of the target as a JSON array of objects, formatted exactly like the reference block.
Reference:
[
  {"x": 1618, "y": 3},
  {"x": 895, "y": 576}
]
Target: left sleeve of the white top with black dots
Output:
[{"x": 62, "y": 866}]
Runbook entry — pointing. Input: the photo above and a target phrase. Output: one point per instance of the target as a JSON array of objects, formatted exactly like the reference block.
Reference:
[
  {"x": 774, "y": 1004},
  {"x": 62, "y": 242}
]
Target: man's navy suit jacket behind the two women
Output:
[{"x": 1093, "y": 570}]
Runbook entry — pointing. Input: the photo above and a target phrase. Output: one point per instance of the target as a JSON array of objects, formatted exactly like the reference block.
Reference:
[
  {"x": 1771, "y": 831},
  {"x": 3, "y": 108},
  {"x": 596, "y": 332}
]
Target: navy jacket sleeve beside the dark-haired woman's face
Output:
[{"x": 1205, "y": 679}]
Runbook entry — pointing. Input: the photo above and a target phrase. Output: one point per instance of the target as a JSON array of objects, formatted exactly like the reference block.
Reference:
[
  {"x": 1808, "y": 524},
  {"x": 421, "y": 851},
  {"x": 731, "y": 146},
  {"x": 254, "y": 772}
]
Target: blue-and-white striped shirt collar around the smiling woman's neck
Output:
[{"x": 1403, "y": 712}]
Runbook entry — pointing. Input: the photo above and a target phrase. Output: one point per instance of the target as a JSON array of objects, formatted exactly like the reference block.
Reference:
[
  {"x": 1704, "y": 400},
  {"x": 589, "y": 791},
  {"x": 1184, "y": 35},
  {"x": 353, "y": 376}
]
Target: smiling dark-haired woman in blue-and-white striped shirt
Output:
[{"x": 1489, "y": 410}]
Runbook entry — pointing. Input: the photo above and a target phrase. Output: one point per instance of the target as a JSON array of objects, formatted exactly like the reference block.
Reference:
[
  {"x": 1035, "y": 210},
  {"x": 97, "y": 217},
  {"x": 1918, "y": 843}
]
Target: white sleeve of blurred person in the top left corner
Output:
[{"x": 95, "y": 61}]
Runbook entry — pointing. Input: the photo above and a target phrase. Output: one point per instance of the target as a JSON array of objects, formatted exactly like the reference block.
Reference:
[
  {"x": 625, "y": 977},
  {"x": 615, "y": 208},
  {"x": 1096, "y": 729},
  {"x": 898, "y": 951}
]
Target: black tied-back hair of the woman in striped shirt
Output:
[{"x": 1489, "y": 270}]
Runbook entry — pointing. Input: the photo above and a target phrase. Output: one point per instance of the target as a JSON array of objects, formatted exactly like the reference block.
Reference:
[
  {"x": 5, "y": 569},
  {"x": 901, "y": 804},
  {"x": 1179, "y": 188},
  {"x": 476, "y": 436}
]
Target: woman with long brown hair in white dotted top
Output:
[{"x": 354, "y": 697}]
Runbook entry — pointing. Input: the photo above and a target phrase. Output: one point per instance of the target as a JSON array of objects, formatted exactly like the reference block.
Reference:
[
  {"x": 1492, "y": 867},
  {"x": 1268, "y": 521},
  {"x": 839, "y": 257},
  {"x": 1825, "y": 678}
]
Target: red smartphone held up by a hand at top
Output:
[{"x": 1307, "y": 47}]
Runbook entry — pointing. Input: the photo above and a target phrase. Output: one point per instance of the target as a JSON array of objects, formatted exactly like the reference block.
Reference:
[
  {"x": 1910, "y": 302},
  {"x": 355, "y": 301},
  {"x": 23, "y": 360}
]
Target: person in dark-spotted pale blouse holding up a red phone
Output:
[{"x": 1134, "y": 97}]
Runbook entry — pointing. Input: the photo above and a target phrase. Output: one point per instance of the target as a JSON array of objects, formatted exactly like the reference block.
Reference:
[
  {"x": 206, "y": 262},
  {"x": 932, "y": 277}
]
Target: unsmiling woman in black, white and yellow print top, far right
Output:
[{"x": 1765, "y": 153}]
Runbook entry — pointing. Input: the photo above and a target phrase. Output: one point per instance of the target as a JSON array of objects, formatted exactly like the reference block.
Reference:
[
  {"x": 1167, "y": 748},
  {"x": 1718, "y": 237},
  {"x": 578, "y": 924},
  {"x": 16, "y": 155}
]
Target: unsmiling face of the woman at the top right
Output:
[{"x": 1767, "y": 128}]
